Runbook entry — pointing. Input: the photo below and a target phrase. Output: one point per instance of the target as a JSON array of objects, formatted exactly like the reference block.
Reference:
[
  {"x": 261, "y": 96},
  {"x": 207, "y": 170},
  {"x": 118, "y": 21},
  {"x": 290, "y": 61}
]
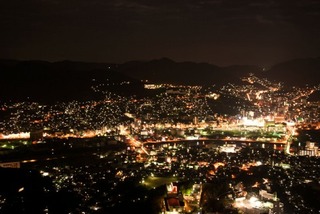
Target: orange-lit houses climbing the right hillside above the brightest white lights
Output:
[{"x": 267, "y": 98}]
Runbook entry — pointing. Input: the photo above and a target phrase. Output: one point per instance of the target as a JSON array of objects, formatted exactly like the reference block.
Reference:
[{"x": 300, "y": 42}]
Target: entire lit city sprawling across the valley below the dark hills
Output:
[{"x": 216, "y": 162}]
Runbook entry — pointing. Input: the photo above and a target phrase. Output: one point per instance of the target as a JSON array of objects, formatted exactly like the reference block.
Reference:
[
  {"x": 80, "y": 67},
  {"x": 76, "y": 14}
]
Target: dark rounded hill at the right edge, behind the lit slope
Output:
[{"x": 297, "y": 72}]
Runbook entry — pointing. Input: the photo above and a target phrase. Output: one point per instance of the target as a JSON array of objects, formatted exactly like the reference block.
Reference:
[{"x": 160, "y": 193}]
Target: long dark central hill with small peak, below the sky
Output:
[{"x": 187, "y": 73}]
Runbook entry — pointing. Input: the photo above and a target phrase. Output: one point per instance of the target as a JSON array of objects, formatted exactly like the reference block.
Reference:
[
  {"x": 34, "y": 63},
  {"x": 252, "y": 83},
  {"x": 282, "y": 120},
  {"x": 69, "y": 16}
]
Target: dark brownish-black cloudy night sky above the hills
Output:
[{"x": 221, "y": 32}]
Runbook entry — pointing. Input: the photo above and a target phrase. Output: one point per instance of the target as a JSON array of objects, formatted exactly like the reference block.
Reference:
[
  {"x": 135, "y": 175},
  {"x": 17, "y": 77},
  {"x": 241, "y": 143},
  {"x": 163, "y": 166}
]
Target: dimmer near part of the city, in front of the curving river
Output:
[{"x": 199, "y": 176}]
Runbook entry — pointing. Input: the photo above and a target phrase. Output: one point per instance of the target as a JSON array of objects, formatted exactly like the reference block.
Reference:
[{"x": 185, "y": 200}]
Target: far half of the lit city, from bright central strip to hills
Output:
[{"x": 253, "y": 100}]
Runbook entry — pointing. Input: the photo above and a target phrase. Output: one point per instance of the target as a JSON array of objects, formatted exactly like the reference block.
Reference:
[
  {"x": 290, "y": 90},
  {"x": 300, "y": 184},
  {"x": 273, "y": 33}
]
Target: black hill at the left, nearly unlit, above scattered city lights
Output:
[{"x": 58, "y": 81}]
